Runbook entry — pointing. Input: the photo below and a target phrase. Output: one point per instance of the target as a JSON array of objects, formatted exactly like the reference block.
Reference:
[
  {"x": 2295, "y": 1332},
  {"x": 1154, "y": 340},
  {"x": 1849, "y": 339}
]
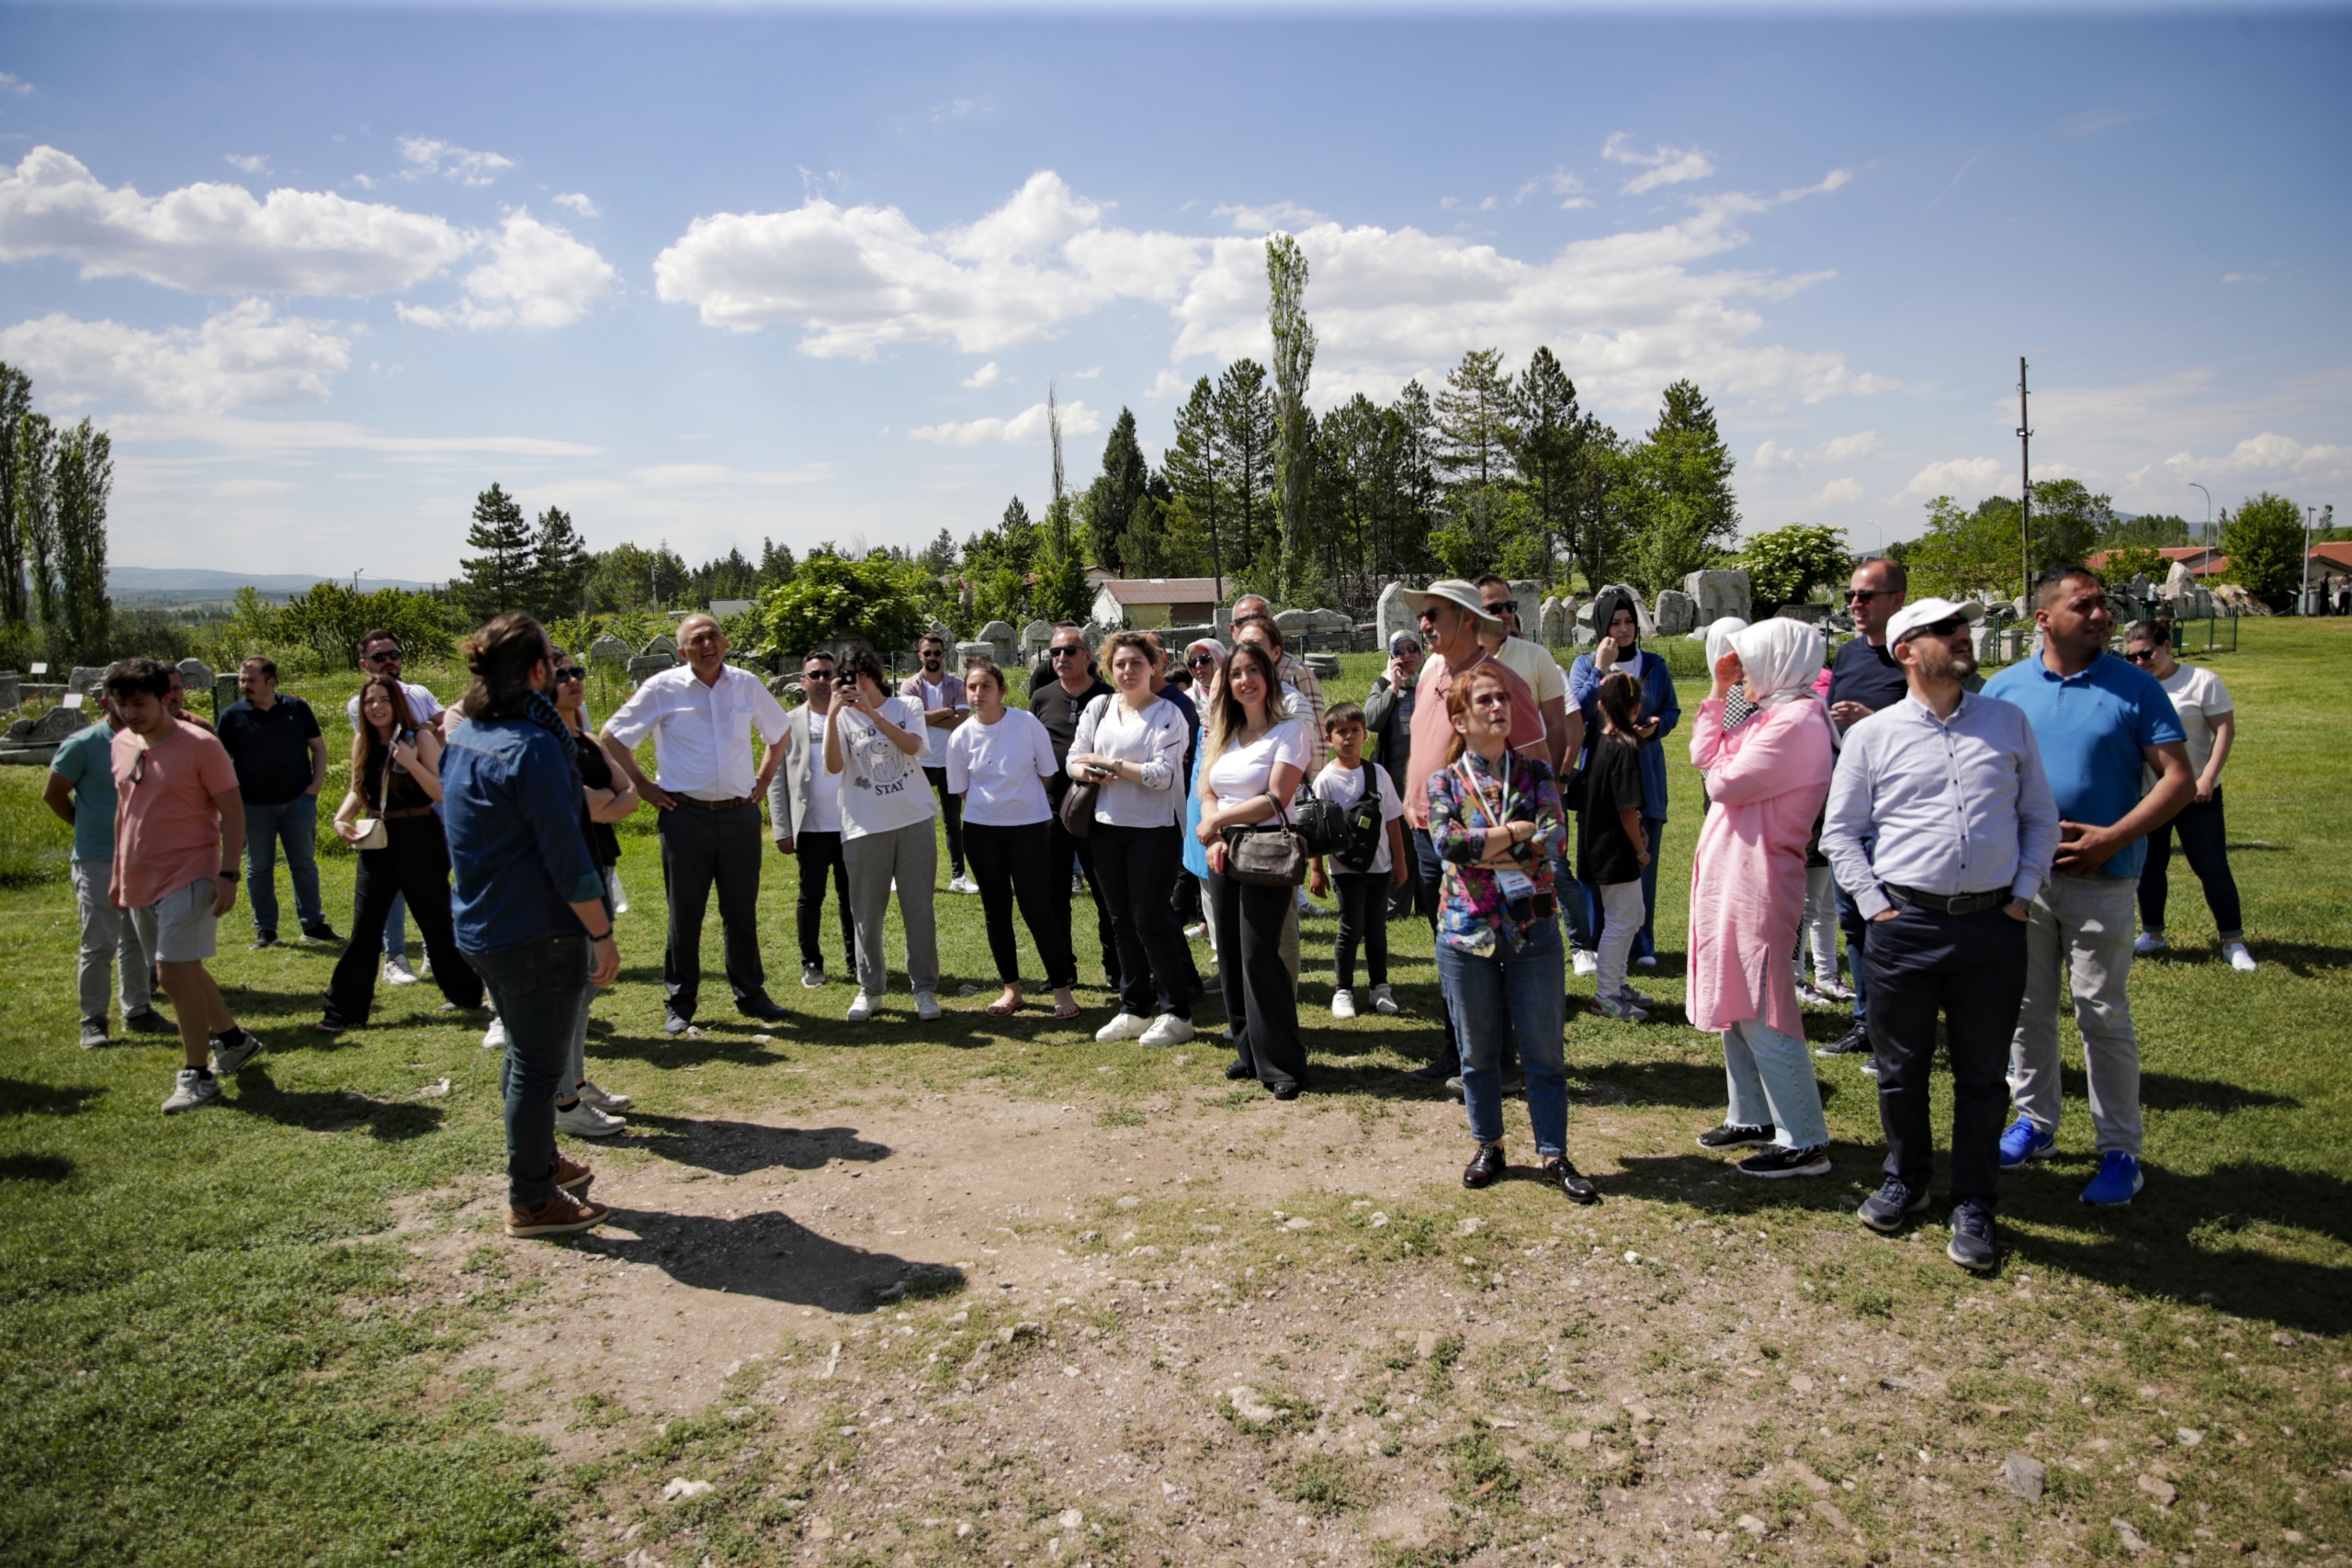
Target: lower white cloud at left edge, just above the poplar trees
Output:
[{"x": 243, "y": 356}]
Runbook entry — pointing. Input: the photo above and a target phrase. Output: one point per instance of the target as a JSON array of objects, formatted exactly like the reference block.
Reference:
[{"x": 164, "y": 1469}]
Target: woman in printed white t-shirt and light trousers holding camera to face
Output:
[{"x": 876, "y": 746}]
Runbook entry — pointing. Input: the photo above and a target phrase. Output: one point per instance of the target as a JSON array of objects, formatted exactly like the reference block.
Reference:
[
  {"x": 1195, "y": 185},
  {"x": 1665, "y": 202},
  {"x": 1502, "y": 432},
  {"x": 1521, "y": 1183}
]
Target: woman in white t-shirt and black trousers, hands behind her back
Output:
[{"x": 998, "y": 760}]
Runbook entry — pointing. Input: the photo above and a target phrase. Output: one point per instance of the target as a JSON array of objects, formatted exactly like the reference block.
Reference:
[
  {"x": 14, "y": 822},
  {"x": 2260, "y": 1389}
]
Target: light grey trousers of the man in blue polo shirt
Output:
[{"x": 2080, "y": 937}]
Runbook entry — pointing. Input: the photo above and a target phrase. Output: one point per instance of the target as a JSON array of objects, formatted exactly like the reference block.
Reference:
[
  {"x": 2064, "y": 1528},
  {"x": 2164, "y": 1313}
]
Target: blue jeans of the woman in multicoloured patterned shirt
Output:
[{"x": 1511, "y": 1000}]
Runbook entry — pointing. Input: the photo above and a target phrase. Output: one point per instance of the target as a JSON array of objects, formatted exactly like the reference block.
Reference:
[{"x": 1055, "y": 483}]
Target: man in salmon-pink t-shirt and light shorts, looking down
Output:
[{"x": 180, "y": 833}]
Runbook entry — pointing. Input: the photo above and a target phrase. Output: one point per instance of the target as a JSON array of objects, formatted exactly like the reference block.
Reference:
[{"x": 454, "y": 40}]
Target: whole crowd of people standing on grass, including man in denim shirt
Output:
[{"x": 1982, "y": 845}]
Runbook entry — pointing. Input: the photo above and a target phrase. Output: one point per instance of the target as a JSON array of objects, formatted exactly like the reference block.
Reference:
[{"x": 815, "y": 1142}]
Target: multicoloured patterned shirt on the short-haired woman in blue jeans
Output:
[{"x": 1474, "y": 909}]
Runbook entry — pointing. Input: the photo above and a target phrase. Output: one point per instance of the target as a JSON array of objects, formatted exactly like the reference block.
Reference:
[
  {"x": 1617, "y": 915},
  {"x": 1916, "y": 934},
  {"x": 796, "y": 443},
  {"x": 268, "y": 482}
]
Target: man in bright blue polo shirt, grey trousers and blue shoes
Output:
[{"x": 2099, "y": 723}]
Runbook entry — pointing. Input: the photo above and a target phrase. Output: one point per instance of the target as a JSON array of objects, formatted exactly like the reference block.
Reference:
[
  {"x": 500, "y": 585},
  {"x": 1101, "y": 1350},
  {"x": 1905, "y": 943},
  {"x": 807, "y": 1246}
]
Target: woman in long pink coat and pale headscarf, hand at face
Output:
[{"x": 1768, "y": 782}]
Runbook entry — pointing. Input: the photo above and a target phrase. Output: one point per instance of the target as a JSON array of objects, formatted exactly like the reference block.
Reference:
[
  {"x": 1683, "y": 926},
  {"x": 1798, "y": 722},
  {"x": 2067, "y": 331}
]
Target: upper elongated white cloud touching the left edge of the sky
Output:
[{"x": 218, "y": 239}]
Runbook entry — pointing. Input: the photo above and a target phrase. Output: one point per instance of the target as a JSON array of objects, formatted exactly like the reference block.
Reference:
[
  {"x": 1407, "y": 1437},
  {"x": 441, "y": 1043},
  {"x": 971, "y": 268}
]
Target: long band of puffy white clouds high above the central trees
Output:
[{"x": 1626, "y": 311}]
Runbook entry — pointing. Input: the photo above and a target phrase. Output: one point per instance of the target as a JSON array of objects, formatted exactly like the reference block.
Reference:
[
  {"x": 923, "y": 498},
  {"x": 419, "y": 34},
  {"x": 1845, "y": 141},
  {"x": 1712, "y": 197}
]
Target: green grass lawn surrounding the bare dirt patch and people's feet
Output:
[{"x": 211, "y": 1351}]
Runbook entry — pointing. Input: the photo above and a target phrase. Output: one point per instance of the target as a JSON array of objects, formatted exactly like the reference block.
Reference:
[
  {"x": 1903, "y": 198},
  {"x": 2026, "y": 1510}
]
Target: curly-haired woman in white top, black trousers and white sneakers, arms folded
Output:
[{"x": 1132, "y": 746}]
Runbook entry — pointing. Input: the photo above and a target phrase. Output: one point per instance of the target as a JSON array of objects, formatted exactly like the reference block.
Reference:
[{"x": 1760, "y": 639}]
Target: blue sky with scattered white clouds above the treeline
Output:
[{"x": 709, "y": 279}]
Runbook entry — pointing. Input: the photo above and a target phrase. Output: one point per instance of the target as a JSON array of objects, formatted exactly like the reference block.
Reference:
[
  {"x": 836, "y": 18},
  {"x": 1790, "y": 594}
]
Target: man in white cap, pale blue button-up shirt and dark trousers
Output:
[{"x": 1942, "y": 829}]
